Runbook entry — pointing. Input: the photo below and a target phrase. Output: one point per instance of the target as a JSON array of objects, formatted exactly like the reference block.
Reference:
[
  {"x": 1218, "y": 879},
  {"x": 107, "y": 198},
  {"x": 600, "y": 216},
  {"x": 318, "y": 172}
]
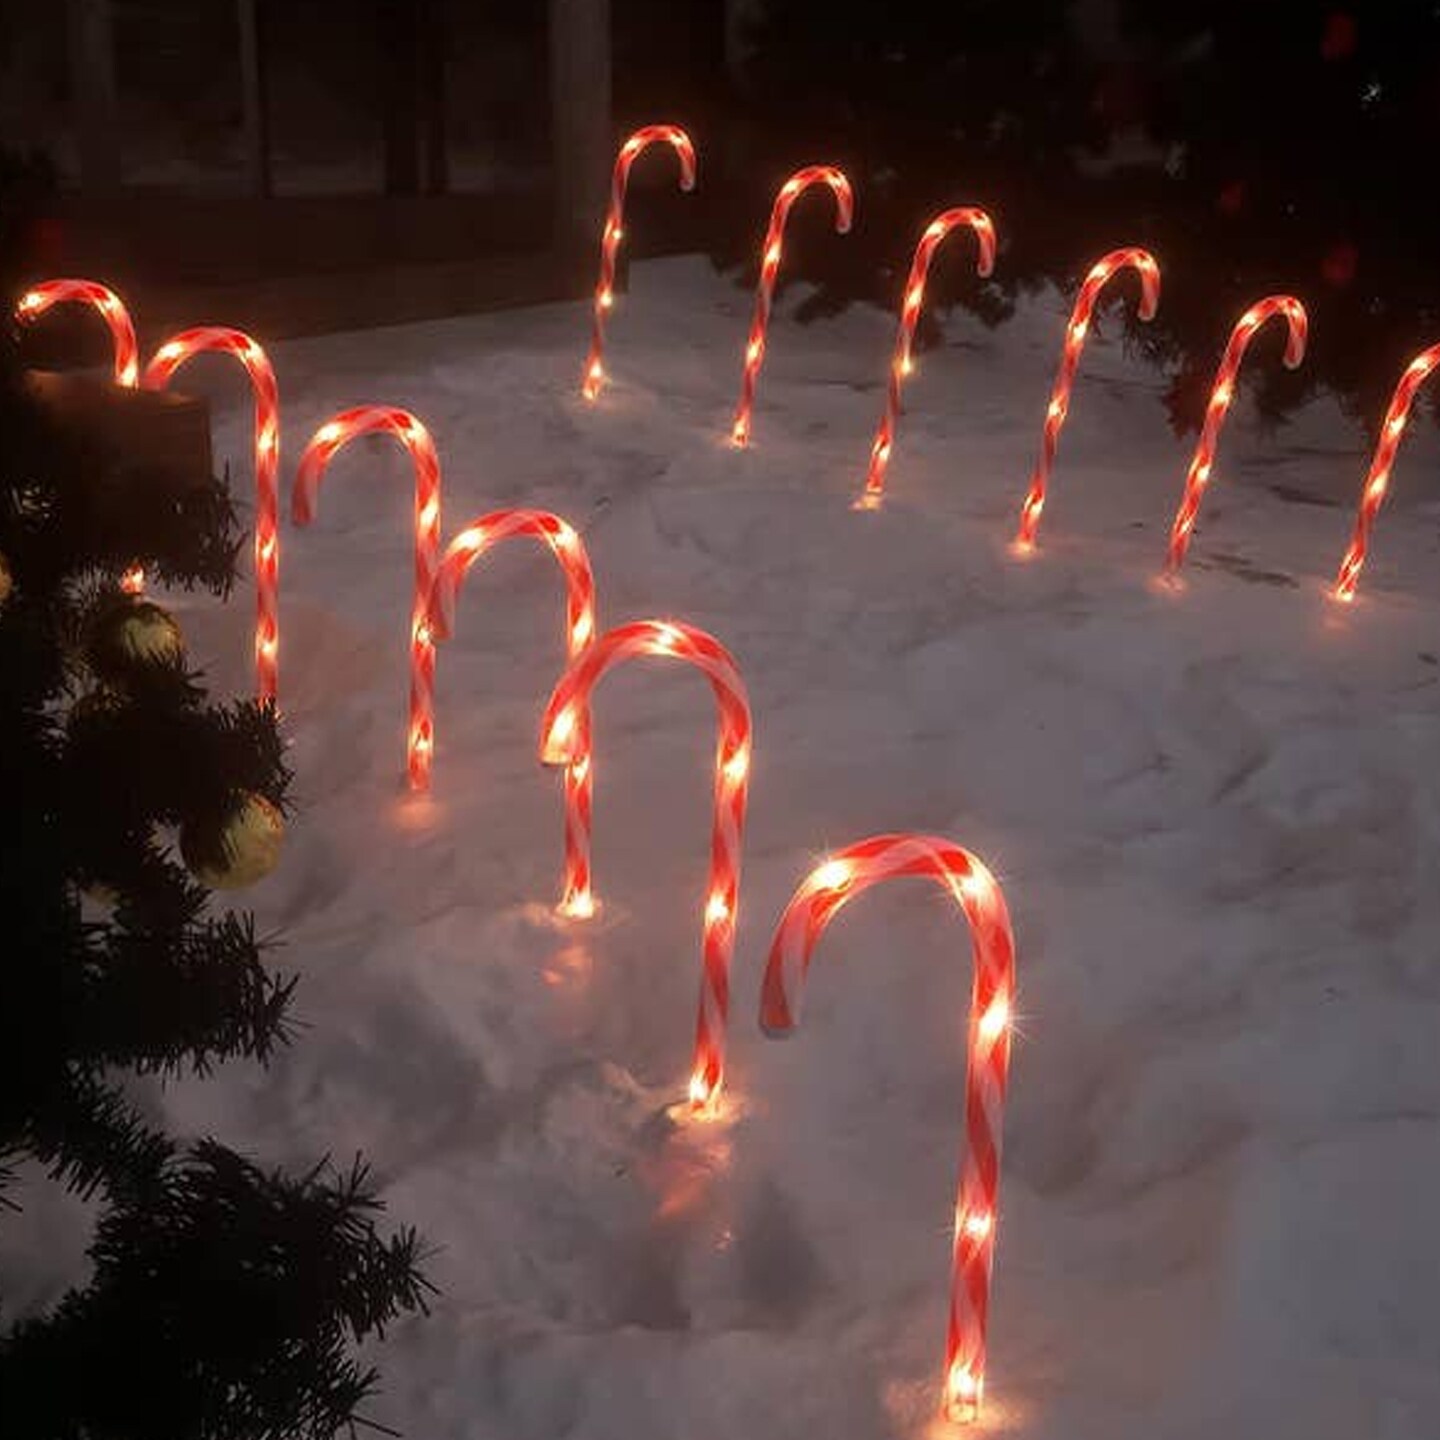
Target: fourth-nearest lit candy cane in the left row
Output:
[{"x": 387, "y": 420}]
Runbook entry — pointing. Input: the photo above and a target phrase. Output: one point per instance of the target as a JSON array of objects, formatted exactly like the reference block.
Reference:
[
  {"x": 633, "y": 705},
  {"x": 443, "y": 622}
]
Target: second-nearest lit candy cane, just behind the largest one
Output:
[{"x": 562, "y": 735}]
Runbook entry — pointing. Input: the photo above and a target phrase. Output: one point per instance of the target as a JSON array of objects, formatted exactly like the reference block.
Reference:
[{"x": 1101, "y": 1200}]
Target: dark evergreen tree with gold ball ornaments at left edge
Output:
[{"x": 224, "y": 1301}]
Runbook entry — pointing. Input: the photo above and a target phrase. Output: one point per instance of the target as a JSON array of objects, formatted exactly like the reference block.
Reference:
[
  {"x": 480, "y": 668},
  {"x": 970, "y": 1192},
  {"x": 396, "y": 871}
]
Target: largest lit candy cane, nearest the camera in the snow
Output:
[{"x": 977, "y": 1209}]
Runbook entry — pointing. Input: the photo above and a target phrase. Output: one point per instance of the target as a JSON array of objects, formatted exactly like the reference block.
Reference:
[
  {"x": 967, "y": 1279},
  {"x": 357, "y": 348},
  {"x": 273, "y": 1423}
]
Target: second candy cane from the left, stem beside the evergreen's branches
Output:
[{"x": 224, "y": 341}]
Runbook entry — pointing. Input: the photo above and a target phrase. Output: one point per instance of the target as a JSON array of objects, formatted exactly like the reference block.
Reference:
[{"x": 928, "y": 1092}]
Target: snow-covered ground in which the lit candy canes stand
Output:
[{"x": 1216, "y": 817}]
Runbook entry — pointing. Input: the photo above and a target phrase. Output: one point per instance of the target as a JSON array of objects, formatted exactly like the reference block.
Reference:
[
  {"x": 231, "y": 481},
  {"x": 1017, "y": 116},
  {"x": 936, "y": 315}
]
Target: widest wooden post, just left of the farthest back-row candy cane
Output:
[{"x": 581, "y": 125}]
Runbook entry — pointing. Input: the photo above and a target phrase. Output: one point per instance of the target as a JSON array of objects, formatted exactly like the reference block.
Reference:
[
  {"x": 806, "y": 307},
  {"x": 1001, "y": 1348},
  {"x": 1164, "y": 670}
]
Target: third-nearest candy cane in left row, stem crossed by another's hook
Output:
[{"x": 580, "y": 630}]
